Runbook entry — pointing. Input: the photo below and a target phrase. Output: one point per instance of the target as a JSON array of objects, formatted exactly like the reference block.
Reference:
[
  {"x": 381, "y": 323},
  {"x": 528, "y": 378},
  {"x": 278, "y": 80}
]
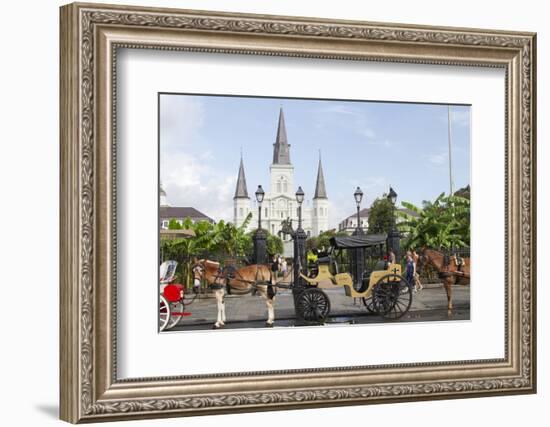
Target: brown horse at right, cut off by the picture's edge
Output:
[{"x": 451, "y": 269}]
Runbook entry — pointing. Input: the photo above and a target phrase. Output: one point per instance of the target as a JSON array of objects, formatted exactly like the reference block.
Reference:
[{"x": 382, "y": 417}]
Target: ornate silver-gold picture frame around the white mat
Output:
[{"x": 91, "y": 390}]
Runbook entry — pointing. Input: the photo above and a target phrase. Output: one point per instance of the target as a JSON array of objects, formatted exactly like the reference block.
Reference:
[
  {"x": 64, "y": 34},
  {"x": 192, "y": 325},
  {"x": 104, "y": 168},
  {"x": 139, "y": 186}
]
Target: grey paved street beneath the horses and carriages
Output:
[{"x": 248, "y": 311}]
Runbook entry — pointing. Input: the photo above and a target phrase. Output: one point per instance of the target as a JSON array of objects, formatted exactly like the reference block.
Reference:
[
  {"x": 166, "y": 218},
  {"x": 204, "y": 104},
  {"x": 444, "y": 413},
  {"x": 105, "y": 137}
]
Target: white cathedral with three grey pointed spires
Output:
[{"x": 280, "y": 200}]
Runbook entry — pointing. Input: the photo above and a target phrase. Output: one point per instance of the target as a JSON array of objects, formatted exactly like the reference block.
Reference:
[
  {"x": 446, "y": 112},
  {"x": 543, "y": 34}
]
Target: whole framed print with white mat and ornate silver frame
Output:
[{"x": 298, "y": 212}]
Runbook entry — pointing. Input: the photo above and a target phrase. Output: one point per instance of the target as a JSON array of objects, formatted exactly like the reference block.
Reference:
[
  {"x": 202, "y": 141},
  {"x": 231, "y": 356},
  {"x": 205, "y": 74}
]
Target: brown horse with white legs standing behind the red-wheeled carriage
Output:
[{"x": 239, "y": 281}]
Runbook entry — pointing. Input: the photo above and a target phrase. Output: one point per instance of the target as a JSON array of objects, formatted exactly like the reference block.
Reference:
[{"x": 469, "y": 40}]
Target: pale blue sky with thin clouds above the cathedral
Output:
[{"x": 368, "y": 144}]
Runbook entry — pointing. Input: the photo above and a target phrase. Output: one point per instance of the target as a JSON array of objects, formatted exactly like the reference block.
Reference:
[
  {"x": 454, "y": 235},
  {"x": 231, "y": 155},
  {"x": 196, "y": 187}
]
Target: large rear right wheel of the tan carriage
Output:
[{"x": 392, "y": 297}]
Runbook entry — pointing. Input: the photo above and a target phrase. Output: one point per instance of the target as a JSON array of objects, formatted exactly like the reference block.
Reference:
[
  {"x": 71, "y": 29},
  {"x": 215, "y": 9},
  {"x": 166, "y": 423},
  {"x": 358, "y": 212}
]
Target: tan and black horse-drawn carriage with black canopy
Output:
[{"x": 382, "y": 288}]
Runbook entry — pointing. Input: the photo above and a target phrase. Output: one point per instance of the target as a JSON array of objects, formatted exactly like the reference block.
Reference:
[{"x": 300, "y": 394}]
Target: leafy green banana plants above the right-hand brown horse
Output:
[{"x": 441, "y": 224}]
